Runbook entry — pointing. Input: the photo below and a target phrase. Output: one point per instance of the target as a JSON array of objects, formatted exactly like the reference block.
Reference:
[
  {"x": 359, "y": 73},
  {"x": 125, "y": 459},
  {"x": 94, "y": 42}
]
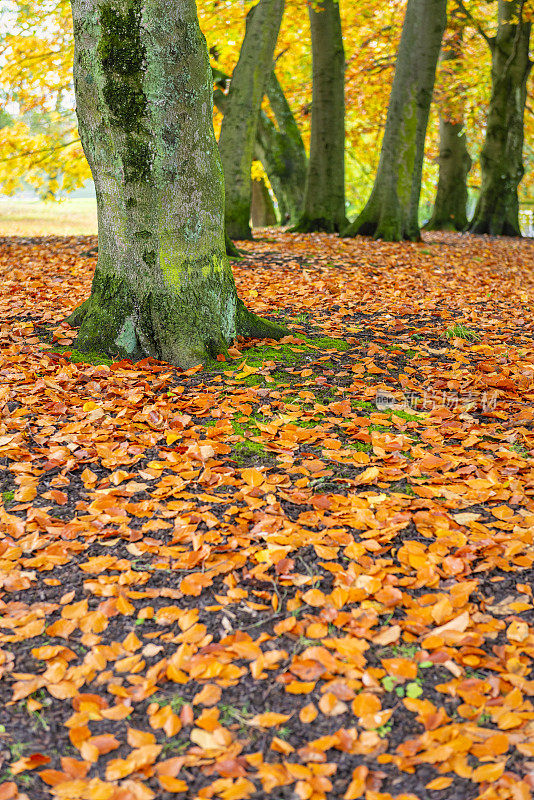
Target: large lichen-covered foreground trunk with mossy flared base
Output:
[{"x": 162, "y": 286}]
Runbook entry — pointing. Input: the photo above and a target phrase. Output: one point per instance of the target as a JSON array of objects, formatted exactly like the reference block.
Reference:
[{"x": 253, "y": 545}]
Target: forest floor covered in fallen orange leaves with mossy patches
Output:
[{"x": 304, "y": 573}]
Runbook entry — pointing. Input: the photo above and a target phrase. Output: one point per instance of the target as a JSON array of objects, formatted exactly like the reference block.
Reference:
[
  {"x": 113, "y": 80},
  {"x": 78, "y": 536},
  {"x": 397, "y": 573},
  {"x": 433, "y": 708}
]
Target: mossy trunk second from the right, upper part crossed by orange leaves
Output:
[{"x": 450, "y": 206}]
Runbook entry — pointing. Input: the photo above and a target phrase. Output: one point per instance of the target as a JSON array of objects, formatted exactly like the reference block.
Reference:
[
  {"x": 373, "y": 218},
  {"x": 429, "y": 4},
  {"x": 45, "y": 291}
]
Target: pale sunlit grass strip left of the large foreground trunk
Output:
[{"x": 39, "y": 218}]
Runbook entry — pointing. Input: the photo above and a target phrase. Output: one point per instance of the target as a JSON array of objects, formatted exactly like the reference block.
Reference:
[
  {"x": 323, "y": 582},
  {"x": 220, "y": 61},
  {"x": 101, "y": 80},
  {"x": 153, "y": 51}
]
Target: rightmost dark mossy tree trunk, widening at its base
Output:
[{"x": 501, "y": 159}]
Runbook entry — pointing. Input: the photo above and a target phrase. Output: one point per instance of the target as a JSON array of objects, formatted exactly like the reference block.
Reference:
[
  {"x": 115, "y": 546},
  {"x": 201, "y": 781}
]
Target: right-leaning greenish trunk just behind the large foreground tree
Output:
[{"x": 240, "y": 122}]
